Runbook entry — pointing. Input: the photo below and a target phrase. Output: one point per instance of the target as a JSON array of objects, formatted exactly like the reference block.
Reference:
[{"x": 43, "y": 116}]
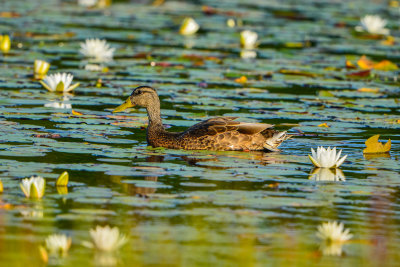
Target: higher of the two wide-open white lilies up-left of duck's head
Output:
[{"x": 97, "y": 50}]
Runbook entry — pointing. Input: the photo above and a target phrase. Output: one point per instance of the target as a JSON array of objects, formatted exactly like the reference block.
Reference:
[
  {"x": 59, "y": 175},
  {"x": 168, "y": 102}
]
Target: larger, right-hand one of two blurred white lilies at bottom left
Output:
[{"x": 106, "y": 239}]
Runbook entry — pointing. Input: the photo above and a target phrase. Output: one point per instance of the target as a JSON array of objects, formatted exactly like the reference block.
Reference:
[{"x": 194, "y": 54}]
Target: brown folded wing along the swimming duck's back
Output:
[{"x": 219, "y": 125}]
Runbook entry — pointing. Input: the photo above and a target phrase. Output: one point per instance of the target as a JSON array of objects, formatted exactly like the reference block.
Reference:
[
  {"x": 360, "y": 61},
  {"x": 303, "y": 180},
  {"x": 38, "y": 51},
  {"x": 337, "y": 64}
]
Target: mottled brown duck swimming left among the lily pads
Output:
[{"x": 220, "y": 133}]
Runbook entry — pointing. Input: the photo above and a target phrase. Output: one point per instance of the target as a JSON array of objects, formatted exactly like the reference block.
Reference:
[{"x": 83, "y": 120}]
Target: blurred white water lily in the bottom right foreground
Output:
[{"x": 333, "y": 232}]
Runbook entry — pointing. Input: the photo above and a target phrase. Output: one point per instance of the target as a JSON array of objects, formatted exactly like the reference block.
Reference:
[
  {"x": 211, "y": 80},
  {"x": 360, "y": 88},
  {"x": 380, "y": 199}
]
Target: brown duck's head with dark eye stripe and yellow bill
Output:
[{"x": 142, "y": 96}]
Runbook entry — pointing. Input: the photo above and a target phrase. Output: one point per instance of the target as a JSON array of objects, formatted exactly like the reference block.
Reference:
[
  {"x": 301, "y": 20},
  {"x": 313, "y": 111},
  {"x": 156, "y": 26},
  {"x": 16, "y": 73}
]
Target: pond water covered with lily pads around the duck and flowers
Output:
[{"x": 195, "y": 208}]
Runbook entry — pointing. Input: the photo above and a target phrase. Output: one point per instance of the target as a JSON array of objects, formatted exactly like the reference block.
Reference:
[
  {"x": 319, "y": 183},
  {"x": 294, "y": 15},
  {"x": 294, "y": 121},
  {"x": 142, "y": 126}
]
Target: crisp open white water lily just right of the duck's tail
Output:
[{"x": 326, "y": 157}]
